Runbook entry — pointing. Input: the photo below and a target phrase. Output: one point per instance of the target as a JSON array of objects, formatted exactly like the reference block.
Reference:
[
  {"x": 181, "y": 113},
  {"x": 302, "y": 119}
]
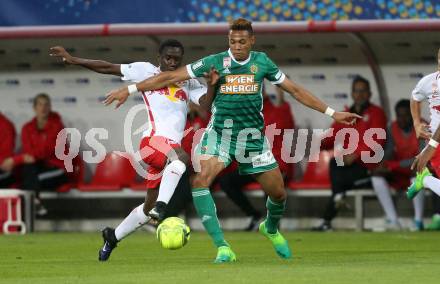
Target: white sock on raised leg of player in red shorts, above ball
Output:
[{"x": 170, "y": 178}]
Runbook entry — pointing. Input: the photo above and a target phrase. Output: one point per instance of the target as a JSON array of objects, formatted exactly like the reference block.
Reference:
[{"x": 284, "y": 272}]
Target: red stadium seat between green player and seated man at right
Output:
[{"x": 316, "y": 175}]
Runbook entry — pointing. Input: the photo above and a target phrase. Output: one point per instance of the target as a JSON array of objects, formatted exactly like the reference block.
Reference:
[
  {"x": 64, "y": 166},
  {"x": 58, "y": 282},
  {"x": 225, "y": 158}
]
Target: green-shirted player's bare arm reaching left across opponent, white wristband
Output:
[{"x": 153, "y": 83}]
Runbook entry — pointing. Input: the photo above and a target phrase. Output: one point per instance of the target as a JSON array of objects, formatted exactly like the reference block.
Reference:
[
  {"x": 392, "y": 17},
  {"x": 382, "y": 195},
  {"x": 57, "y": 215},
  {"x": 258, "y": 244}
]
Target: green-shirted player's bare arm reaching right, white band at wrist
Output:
[{"x": 307, "y": 99}]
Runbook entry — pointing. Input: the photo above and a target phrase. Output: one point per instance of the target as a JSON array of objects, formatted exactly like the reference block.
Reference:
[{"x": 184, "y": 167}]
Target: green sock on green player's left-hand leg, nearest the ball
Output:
[{"x": 207, "y": 212}]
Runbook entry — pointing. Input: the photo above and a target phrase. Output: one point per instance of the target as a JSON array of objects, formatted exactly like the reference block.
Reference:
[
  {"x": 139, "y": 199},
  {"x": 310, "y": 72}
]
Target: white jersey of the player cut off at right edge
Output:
[{"x": 428, "y": 88}]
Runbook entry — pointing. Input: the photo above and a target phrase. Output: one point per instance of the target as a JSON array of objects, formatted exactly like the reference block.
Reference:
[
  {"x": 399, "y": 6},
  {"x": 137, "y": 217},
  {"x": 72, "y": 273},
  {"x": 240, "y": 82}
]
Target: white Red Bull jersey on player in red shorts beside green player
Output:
[{"x": 168, "y": 107}]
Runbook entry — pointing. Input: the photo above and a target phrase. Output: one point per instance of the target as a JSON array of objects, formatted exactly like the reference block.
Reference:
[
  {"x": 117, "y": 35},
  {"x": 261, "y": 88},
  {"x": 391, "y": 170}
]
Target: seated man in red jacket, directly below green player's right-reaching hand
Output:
[{"x": 354, "y": 173}]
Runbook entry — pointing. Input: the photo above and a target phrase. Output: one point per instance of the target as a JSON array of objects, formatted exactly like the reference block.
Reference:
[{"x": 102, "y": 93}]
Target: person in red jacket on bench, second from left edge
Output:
[{"x": 38, "y": 138}]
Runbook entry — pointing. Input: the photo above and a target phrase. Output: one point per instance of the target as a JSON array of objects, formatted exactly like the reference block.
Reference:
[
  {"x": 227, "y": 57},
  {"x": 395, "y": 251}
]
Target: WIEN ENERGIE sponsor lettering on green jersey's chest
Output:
[{"x": 239, "y": 84}]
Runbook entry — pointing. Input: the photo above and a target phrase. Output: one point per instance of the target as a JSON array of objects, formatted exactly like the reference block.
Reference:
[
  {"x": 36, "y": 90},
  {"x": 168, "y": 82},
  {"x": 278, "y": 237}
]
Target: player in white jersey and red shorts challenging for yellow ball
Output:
[{"x": 160, "y": 147}]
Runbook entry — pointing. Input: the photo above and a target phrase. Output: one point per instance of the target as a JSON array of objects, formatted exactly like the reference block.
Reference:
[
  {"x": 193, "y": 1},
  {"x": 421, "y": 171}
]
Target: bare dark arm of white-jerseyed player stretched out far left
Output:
[{"x": 98, "y": 66}]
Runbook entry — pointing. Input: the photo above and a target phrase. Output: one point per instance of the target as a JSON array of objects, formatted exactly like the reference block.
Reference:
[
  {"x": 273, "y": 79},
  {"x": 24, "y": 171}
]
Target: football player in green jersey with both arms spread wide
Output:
[{"x": 236, "y": 115}]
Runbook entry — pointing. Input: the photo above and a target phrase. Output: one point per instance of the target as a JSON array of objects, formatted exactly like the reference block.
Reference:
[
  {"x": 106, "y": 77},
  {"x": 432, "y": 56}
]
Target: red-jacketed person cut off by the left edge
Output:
[{"x": 7, "y": 146}]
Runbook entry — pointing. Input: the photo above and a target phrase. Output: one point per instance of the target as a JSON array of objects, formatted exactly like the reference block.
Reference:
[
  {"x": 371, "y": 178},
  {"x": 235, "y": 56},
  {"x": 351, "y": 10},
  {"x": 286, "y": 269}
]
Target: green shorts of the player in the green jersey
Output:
[{"x": 253, "y": 155}]
